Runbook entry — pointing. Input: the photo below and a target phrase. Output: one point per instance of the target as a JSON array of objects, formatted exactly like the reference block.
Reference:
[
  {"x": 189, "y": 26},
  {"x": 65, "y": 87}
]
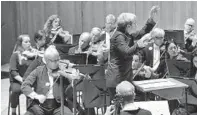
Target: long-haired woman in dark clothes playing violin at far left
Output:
[{"x": 18, "y": 66}]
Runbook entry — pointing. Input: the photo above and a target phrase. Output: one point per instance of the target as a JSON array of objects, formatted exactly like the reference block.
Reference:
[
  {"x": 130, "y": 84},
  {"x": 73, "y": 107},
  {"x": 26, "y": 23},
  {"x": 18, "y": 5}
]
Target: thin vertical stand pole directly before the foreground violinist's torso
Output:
[{"x": 62, "y": 95}]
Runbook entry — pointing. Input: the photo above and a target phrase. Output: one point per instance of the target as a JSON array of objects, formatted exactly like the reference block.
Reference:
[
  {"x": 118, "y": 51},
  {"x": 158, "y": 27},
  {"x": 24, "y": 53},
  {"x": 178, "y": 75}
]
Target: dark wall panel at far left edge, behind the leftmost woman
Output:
[{"x": 8, "y": 33}]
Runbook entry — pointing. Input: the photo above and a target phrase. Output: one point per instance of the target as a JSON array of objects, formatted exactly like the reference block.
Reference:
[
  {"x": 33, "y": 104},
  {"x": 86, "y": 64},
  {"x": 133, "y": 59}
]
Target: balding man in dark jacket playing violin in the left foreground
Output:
[{"x": 46, "y": 83}]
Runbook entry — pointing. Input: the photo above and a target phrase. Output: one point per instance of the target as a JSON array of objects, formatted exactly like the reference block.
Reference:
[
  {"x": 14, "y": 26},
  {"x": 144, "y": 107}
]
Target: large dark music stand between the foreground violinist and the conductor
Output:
[{"x": 94, "y": 90}]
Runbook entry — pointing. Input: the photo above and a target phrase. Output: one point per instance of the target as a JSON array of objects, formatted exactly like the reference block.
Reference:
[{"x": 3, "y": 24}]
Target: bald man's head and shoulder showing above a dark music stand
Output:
[{"x": 83, "y": 46}]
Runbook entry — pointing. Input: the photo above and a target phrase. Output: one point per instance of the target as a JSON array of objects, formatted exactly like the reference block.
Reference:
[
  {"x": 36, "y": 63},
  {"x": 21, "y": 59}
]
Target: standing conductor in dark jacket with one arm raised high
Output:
[{"x": 121, "y": 50}]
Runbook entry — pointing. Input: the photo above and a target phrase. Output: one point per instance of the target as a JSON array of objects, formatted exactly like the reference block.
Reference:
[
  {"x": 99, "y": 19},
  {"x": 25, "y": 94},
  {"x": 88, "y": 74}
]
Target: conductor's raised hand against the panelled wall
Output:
[{"x": 154, "y": 13}]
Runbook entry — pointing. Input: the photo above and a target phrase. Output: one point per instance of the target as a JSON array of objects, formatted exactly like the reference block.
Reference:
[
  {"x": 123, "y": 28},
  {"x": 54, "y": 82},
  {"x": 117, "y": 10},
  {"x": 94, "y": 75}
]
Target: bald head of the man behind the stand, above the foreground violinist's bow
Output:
[{"x": 84, "y": 40}]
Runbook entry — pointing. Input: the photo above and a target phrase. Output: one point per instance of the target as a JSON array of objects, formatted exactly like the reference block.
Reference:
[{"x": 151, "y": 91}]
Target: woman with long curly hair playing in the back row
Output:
[{"x": 55, "y": 32}]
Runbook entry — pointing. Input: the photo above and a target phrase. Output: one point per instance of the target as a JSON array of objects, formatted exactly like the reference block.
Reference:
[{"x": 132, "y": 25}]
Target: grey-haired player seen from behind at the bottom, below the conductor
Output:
[{"x": 126, "y": 93}]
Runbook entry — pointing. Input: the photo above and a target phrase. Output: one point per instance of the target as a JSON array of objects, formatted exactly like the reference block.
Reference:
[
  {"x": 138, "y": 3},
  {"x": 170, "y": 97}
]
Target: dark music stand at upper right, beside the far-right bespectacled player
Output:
[{"x": 177, "y": 36}]
